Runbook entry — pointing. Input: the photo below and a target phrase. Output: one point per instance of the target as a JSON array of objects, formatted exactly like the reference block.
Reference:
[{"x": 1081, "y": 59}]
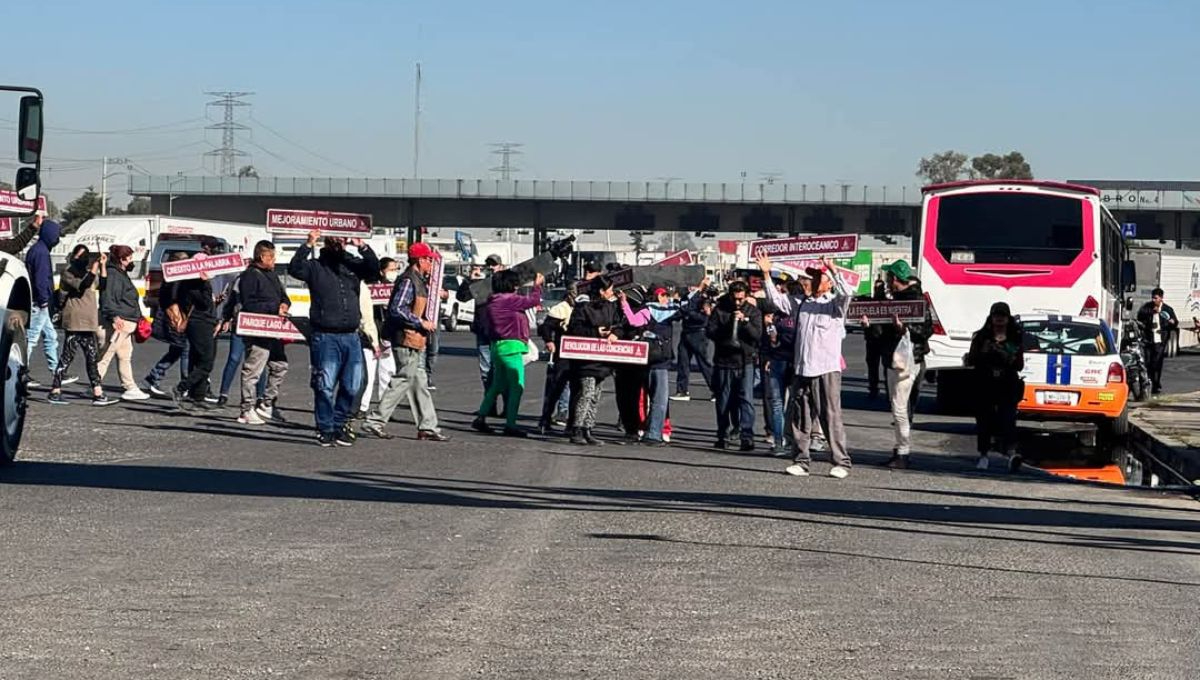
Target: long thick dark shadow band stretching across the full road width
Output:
[{"x": 1035, "y": 526}]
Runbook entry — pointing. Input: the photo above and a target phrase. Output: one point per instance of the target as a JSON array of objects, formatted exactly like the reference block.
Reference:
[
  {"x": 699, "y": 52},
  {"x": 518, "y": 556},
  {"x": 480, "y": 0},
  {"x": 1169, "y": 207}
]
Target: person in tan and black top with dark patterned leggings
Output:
[{"x": 79, "y": 287}]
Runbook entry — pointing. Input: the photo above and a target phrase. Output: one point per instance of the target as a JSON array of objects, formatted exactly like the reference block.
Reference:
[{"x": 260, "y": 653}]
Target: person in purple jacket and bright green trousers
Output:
[{"x": 508, "y": 324}]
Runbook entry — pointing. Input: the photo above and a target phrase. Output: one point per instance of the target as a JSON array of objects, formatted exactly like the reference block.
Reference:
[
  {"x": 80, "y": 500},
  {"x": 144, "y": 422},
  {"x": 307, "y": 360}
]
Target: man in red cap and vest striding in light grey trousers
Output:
[{"x": 410, "y": 330}]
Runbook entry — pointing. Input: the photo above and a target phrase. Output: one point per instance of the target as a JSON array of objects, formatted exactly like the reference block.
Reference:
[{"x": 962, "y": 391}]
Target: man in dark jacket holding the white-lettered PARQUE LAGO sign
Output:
[{"x": 261, "y": 292}]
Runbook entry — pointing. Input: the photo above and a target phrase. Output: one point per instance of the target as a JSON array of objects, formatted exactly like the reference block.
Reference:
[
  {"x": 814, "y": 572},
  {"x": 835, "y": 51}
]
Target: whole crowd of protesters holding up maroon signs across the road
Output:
[{"x": 782, "y": 344}]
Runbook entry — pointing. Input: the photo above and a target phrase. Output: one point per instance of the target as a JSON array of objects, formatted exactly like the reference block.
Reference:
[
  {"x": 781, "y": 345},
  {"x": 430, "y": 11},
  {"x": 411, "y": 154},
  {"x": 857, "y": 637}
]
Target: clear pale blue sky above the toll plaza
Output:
[{"x": 698, "y": 91}]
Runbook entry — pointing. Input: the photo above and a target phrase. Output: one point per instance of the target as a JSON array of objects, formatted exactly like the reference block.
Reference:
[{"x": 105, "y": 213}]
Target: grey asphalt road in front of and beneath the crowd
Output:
[{"x": 141, "y": 543}]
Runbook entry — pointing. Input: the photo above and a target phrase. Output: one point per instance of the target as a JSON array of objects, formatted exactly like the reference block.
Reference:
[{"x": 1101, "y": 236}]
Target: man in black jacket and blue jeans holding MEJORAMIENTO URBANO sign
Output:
[{"x": 334, "y": 347}]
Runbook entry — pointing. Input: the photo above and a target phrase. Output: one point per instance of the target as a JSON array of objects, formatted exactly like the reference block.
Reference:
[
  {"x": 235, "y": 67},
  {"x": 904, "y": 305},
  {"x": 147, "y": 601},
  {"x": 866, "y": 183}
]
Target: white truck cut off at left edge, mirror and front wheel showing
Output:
[{"x": 16, "y": 299}]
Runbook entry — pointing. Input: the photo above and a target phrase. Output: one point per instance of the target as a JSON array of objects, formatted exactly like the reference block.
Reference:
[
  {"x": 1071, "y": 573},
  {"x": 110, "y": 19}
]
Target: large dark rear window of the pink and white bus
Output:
[{"x": 1010, "y": 228}]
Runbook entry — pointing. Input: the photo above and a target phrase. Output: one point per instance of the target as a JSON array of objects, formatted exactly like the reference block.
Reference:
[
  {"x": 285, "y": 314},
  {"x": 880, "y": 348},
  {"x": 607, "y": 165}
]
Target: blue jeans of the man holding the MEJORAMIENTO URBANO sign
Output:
[{"x": 338, "y": 376}]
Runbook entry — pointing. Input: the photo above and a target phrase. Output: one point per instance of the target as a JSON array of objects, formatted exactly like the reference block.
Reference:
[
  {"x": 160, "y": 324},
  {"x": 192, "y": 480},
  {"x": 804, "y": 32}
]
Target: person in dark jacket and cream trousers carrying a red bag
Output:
[{"x": 119, "y": 314}]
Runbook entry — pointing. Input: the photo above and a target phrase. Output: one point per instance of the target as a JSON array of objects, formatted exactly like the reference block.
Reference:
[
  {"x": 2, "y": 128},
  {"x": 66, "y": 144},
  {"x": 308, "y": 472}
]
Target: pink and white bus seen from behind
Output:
[{"x": 1043, "y": 248}]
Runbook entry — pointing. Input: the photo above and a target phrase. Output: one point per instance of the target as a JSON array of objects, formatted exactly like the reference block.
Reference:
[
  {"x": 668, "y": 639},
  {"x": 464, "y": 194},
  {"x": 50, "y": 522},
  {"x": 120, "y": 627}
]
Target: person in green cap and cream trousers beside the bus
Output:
[{"x": 904, "y": 387}]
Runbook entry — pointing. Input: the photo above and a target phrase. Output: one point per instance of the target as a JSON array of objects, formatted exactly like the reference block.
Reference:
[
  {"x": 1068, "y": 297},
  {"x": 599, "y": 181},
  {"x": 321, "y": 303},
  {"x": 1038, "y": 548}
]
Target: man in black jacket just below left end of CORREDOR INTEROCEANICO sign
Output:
[{"x": 736, "y": 329}]
